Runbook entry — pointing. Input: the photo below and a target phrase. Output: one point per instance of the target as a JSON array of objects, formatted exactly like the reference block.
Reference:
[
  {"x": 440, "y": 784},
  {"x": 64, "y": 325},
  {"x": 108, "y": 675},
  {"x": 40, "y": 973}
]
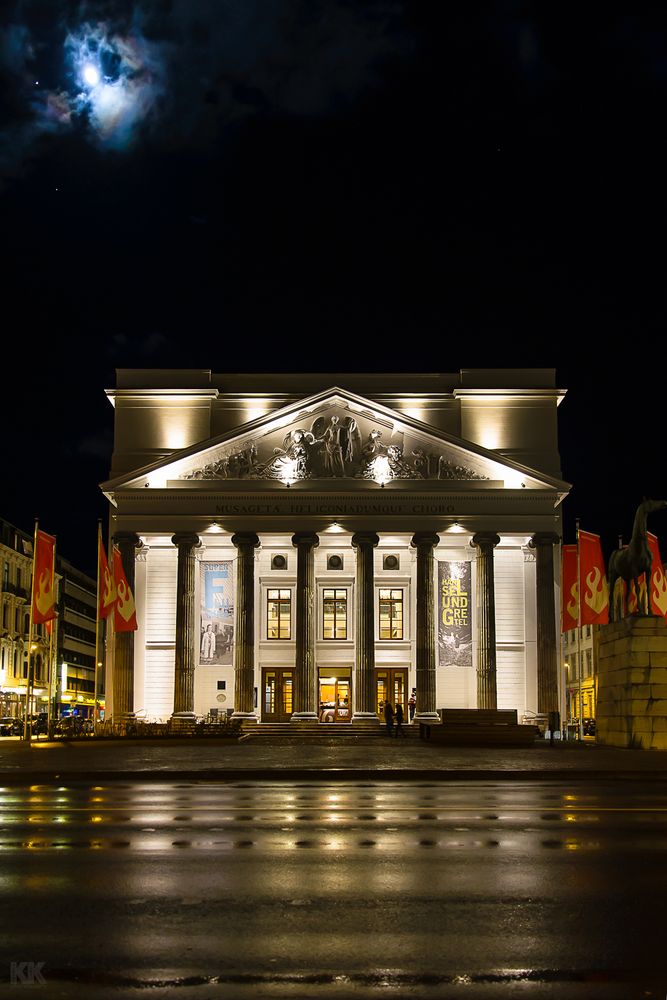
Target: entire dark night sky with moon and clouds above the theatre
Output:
[{"x": 337, "y": 186}]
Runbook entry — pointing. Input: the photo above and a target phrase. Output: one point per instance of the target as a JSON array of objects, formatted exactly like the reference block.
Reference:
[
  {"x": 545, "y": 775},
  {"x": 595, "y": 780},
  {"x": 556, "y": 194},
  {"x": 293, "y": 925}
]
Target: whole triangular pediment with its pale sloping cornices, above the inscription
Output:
[{"x": 335, "y": 436}]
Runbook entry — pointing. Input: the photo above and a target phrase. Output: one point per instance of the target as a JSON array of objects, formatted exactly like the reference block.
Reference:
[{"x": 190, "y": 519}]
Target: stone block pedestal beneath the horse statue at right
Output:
[{"x": 632, "y": 684}]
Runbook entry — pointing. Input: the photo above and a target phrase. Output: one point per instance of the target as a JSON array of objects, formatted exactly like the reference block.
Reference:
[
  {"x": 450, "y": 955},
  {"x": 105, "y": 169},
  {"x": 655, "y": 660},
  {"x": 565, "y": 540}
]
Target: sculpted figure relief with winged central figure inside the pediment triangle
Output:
[{"x": 335, "y": 442}]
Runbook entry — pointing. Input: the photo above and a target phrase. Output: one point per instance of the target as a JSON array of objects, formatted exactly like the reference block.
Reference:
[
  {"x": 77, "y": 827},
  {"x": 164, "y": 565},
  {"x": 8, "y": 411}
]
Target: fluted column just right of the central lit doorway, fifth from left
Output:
[{"x": 364, "y": 697}]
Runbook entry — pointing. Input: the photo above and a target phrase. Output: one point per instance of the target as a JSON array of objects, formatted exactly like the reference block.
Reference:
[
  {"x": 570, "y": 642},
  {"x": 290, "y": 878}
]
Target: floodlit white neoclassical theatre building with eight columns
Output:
[{"x": 304, "y": 547}]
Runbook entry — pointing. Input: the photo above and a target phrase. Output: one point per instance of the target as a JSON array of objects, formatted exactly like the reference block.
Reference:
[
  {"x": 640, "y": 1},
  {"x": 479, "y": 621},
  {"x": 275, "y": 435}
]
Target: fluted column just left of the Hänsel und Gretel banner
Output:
[{"x": 425, "y": 542}]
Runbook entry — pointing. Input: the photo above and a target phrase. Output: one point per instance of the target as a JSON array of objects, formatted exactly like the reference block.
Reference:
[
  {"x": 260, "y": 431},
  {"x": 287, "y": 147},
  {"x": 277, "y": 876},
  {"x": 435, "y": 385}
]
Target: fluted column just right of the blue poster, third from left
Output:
[{"x": 244, "y": 638}]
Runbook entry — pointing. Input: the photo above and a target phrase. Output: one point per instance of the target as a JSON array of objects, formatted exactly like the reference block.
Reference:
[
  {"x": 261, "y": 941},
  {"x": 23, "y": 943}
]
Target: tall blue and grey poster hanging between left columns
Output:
[{"x": 216, "y": 638}]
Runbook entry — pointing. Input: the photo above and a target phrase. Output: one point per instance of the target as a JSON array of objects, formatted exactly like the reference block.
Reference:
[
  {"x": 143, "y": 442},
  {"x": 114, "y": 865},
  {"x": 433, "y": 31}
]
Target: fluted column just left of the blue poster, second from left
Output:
[{"x": 186, "y": 626}]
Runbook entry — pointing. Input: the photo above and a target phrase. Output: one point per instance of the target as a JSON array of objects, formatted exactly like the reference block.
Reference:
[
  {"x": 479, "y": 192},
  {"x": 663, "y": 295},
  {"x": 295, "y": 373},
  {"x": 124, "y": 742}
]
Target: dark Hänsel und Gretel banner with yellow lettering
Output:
[{"x": 454, "y": 614}]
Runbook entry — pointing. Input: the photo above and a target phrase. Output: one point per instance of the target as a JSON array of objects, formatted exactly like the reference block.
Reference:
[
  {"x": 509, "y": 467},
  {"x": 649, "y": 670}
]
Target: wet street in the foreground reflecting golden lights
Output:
[{"x": 340, "y": 889}]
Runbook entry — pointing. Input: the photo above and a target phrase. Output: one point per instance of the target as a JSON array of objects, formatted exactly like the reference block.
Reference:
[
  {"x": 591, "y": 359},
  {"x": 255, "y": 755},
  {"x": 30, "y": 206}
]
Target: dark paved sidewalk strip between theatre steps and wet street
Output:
[{"x": 282, "y": 759}]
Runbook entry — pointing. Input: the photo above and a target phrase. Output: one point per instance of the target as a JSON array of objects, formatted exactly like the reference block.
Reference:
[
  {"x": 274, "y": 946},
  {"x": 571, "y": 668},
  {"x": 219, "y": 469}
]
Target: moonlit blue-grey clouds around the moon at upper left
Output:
[{"x": 180, "y": 71}]
